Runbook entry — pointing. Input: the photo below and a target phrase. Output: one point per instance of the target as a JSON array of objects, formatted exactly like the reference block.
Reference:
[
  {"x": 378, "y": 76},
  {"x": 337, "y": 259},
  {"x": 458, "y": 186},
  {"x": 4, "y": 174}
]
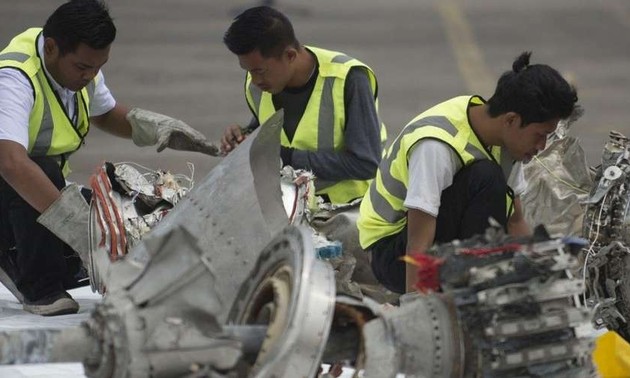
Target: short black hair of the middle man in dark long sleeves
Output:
[{"x": 260, "y": 28}]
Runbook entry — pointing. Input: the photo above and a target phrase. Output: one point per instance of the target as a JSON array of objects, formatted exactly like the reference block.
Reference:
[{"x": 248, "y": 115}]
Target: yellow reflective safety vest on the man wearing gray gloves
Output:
[{"x": 51, "y": 132}]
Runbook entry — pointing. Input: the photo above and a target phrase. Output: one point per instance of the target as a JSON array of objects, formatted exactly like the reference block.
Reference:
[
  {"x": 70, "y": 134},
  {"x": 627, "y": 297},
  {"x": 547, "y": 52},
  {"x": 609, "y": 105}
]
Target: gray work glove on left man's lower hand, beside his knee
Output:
[{"x": 68, "y": 219}]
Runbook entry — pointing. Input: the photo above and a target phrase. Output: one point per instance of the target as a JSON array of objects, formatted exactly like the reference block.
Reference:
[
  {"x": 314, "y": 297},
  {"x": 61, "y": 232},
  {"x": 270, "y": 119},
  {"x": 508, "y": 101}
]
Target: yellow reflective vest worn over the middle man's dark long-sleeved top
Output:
[{"x": 323, "y": 122}]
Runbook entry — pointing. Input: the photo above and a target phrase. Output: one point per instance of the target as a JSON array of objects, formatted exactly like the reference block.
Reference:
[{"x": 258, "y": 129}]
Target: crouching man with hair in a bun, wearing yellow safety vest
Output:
[{"x": 458, "y": 164}]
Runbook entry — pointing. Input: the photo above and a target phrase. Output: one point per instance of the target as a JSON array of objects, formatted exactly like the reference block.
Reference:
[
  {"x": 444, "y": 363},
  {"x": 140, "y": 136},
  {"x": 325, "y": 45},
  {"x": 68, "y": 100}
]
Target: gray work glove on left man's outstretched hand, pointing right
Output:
[{"x": 149, "y": 128}]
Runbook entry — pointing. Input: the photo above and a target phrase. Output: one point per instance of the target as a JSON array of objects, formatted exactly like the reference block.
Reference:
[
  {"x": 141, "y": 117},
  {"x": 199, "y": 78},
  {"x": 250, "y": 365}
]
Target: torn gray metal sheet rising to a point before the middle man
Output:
[{"x": 236, "y": 198}]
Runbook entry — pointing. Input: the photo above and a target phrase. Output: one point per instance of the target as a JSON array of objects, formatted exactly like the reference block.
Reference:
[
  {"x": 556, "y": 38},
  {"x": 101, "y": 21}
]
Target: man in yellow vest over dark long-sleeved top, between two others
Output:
[{"x": 331, "y": 125}]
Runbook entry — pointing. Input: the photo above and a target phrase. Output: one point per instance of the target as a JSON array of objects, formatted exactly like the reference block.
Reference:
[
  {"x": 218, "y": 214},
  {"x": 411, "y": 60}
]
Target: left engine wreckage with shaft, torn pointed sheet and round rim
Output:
[{"x": 216, "y": 289}]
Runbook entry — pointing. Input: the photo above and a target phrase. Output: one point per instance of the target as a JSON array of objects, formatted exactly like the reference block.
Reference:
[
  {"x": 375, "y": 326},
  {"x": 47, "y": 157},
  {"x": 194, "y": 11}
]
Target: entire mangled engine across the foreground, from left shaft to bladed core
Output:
[{"x": 222, "y": 288}]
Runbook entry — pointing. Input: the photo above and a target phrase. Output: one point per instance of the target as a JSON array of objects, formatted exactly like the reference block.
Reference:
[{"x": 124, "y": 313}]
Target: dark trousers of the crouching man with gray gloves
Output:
[{"x": 44, "y": 264}]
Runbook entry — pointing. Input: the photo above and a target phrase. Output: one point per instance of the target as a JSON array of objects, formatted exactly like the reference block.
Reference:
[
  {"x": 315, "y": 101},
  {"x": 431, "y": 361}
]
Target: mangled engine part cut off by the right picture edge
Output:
[{"x": 607, "y": 226}]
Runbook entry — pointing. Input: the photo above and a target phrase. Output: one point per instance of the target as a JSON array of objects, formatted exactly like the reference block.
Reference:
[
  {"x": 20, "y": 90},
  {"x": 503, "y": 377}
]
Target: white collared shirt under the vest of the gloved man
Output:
[{"x": 16, "y": 100}]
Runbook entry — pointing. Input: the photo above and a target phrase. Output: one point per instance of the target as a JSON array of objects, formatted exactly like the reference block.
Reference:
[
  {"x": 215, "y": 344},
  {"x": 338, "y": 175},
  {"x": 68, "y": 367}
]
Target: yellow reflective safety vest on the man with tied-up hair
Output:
[{"x": 382, "y": 211}]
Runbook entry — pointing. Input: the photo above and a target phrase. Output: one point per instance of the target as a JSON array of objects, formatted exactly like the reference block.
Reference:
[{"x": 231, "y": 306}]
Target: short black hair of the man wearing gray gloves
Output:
[{"x": 80, "y": 21}]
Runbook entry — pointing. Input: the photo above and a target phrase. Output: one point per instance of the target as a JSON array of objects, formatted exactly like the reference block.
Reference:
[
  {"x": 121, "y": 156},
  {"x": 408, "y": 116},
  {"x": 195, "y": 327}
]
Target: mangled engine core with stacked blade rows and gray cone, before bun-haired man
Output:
[{"x": 508, "y": 307}]
